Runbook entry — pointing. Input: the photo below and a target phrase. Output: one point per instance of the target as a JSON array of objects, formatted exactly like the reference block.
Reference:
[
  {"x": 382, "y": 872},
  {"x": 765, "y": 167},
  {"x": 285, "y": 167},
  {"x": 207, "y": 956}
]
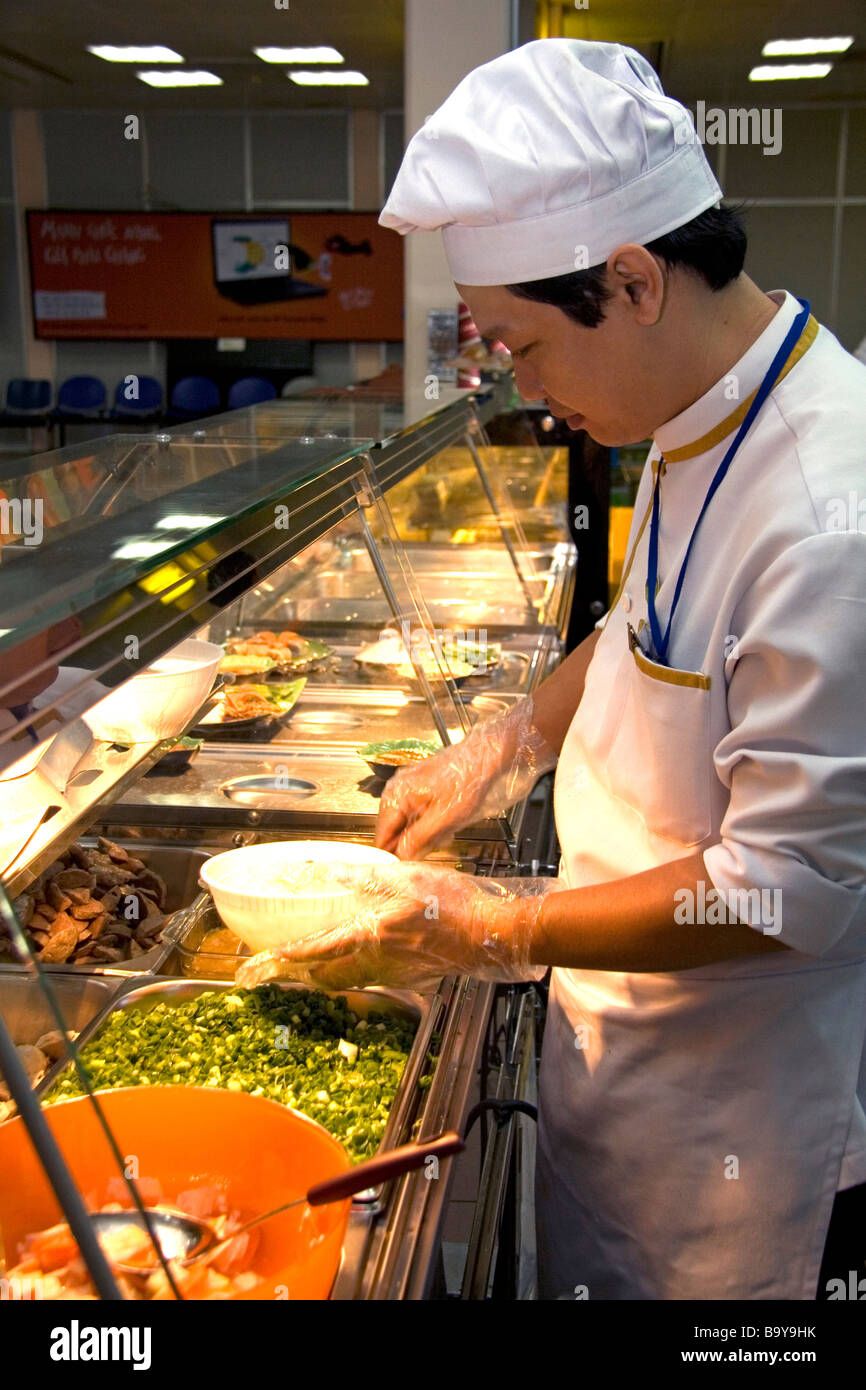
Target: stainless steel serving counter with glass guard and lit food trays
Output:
[{"x": 366, "y": 582}]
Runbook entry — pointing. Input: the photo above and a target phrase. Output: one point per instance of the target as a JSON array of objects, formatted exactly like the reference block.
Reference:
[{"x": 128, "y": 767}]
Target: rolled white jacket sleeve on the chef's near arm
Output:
[{"x": 796, "y": 755}]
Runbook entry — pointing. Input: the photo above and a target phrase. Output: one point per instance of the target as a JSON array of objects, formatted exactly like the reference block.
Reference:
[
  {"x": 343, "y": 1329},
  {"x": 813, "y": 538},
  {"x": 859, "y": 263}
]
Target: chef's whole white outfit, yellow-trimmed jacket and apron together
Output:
[{"x": 697, "y": 1125}]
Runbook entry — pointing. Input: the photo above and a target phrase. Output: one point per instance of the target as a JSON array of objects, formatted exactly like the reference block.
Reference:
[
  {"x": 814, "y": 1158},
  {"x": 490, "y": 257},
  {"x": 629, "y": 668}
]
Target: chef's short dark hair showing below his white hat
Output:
[{"x": 712, "y": 247}]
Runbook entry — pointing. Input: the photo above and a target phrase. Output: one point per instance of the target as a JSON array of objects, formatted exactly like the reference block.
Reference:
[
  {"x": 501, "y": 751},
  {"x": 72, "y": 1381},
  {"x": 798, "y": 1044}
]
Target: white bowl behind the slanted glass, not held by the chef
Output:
[{"x": 161, "y": 701}]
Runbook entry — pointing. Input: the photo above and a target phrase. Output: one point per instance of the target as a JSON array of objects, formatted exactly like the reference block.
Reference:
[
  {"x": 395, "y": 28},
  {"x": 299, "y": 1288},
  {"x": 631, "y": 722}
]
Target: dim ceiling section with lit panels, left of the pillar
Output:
[{"x": 44, "y": 59}]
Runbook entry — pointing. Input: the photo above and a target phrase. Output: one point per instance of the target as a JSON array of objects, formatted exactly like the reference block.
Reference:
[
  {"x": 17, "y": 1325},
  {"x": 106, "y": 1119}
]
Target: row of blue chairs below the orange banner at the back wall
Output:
[{"x": 30, "y": 402}]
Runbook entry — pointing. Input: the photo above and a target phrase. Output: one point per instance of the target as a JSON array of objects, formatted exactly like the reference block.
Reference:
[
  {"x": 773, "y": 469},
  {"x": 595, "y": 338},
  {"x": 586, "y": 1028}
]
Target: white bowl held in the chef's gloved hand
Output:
[{"x": 252, "y": 904}]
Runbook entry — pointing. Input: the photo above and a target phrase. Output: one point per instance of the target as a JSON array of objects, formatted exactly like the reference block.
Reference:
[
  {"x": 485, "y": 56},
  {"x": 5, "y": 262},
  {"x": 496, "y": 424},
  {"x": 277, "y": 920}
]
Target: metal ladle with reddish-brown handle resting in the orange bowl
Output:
[{"x": 188, "y": 1239}]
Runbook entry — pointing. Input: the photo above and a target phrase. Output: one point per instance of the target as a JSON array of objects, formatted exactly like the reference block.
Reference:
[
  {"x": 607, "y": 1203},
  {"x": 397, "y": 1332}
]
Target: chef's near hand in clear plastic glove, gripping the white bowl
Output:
[{"x": 411, "y": 925}]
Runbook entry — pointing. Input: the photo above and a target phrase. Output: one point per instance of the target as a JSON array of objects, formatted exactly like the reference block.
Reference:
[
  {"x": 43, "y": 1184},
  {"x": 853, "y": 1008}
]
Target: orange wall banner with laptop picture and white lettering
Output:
[{"x": 313, "y": 276}]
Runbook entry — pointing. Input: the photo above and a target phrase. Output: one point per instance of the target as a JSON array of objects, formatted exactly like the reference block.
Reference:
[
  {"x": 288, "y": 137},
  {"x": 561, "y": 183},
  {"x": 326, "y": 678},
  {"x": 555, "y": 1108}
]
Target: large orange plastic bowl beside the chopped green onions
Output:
[{"x": 259, "y": 1153}]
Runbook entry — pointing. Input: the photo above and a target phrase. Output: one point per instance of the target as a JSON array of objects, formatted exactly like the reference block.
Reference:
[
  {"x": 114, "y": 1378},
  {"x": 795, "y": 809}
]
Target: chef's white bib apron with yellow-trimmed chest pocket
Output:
[{"x": 693, "y": 1125}]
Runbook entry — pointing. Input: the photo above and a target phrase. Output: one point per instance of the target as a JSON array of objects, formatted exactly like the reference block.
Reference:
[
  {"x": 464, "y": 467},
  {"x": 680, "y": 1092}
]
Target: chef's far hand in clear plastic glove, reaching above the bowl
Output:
[{"x": 493, "y": 768}]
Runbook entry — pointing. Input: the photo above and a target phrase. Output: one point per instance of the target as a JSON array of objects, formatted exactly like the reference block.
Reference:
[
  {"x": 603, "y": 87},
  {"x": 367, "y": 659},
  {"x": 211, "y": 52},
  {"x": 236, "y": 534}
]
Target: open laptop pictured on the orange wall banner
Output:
[{"x": 251, "y": 262}]
